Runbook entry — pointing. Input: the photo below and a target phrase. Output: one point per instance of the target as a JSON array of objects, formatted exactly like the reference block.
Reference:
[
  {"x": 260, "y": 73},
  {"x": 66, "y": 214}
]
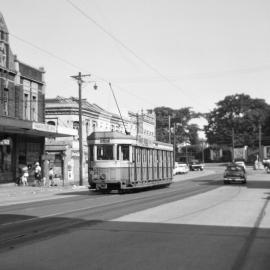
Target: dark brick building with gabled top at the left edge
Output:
[{"x": 22, "y": 112}]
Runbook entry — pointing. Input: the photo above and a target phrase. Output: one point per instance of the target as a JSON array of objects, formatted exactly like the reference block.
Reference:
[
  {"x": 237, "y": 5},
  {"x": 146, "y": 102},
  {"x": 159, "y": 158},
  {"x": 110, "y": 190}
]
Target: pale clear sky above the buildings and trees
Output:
[{"x": 173, "y": 53}]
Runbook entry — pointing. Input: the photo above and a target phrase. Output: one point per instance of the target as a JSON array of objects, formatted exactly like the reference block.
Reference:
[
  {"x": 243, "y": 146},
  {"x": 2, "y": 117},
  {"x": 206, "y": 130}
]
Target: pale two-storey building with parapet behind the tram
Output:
[{"x": 64, "y": 153}]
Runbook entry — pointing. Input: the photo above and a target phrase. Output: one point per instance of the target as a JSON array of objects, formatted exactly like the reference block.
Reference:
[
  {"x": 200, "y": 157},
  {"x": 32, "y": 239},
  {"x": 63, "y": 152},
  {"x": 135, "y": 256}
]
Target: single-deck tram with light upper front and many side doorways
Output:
[{"x": 123, "y": 162}]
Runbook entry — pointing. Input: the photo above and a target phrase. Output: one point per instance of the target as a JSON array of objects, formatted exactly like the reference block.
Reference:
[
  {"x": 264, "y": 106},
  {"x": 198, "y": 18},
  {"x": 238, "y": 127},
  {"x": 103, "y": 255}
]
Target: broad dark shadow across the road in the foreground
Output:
[{"x": 99, "y": 244}]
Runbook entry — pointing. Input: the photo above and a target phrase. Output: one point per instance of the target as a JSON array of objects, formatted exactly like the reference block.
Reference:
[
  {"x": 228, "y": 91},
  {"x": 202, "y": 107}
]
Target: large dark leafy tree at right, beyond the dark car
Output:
[{"x": 240, "y": 115}]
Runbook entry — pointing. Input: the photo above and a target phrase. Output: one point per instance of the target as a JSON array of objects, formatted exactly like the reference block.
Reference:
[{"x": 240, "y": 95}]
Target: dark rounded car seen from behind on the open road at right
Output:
[{"x": 235, "y": 173}]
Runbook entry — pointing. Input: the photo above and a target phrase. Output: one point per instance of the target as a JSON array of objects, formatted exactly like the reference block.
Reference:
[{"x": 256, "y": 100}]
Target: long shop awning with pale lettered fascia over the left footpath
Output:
[{"x": 9, "y": 125}]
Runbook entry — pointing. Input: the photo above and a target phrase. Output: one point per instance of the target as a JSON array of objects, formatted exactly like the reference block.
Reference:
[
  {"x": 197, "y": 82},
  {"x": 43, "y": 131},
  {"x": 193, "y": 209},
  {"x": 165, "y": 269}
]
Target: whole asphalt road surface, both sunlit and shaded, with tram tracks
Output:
[{"x": 194, "y": 224}]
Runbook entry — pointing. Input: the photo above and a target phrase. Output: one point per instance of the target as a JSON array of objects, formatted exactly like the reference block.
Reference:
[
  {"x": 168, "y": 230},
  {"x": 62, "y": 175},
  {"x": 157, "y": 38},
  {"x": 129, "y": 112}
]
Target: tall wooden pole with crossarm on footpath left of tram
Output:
[{"x": 80, "y": 81}]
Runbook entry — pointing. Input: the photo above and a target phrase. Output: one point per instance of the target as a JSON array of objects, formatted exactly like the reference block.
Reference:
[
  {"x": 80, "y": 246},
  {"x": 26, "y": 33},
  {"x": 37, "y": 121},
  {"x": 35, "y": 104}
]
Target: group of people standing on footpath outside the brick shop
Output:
[{"x": 24, "y": 171}]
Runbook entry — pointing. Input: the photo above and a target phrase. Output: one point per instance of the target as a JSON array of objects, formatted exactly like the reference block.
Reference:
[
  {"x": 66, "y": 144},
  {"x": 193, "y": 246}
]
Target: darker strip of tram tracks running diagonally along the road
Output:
[{"x": 41, "y": 227}]
